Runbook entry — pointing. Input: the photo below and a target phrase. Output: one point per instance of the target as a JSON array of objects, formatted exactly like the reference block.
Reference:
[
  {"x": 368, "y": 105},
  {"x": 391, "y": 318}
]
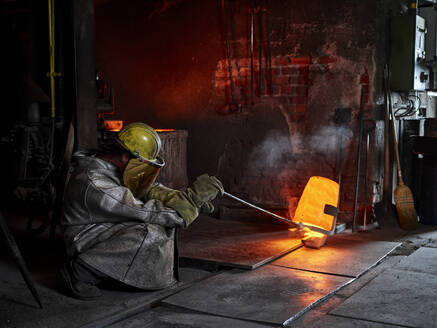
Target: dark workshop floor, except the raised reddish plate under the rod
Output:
[{"x": 364, "y": 292}]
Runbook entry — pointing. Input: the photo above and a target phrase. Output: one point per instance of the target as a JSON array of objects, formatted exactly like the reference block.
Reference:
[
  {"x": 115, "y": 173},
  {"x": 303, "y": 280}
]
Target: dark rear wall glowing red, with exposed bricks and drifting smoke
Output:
[{"x": 175, "y": 74}]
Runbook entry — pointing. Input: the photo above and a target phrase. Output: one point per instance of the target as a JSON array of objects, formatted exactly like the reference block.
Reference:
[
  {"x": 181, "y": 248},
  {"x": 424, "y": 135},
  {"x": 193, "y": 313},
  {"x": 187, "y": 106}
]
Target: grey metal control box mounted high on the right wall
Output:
[{"x": 407, "y": 54}]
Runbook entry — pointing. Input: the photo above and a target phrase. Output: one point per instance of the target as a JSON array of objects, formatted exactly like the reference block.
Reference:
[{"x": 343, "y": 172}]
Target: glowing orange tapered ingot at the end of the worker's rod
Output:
[{"x": 310, "y": 210}]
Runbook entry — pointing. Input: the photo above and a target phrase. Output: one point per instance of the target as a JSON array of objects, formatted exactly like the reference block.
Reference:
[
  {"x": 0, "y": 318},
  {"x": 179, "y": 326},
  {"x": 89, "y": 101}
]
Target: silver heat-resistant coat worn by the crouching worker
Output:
[{"x": 129, "y": 240}]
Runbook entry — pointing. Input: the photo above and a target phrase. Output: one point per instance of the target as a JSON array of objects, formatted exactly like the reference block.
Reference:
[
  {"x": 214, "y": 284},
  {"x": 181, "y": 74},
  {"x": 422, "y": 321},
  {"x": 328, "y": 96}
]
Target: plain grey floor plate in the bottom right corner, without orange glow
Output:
[{"x": 395, "y": 297}]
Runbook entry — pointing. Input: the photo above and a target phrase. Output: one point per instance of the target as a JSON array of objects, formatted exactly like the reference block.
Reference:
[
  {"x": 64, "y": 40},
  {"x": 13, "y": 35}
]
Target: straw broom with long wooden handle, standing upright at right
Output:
[{"x": 403, "y": 196}]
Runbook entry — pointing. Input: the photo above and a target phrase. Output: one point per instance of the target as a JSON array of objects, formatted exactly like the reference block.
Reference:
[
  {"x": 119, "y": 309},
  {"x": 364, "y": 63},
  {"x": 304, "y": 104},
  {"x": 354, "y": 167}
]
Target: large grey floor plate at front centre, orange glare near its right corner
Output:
[{"x": 269, "y": 294}]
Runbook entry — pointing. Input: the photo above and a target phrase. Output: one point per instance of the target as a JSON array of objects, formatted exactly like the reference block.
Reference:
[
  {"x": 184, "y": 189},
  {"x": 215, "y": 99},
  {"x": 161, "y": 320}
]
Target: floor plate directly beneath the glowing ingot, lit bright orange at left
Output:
[{"x": 340, "y": 256}]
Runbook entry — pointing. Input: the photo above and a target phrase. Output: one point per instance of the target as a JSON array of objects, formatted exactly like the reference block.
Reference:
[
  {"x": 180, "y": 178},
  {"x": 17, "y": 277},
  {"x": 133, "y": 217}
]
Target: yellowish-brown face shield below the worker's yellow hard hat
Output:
[{"x": 139, "y": 176}]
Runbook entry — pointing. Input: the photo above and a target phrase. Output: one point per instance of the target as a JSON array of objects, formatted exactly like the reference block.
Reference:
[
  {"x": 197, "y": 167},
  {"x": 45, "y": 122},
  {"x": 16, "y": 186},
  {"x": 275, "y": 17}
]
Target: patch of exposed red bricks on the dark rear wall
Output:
[{"x": 289, "y": 82}]
